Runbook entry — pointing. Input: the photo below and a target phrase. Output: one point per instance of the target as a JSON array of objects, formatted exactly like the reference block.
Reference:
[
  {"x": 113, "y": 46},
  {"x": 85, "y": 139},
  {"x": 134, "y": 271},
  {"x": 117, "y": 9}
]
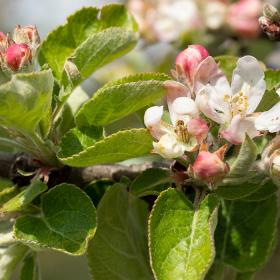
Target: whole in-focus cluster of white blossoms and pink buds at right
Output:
[{"x": 201, "y": 96}]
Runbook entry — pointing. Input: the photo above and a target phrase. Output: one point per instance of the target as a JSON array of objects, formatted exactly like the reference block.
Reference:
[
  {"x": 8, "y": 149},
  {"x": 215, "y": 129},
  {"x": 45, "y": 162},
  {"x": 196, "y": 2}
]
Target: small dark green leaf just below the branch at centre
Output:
[{"x": 151, "y": 182}]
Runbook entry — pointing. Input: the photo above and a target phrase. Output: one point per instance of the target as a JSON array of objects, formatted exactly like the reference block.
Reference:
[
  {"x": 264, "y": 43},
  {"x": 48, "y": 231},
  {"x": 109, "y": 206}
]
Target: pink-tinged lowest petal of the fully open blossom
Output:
[{"x": 238, "y": 128}]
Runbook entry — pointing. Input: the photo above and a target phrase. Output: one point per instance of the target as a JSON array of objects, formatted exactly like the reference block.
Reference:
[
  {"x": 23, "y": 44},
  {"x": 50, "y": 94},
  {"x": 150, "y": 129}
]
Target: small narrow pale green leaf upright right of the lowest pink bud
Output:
[{"x": 246, "y": 157}]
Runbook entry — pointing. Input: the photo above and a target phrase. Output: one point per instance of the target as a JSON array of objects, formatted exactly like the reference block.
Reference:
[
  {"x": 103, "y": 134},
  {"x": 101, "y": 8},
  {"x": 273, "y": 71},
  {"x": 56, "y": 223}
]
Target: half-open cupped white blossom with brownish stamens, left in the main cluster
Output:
[{"x": 183, "y": 134}]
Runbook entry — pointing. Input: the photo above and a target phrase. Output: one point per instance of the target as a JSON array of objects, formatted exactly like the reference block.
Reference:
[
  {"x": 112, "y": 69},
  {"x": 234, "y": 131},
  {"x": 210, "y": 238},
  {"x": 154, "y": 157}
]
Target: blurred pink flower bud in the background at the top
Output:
[{"x": 243, "y": 17}]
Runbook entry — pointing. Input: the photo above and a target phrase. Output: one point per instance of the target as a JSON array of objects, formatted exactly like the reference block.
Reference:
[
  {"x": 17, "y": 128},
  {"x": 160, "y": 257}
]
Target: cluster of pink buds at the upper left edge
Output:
[{"x": 17, "y": 52}]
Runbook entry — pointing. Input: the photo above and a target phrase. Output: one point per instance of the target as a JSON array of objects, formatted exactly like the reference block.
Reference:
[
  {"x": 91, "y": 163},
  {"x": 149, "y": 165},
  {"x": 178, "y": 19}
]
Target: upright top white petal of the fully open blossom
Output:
[{"x": 248, "y": 78}]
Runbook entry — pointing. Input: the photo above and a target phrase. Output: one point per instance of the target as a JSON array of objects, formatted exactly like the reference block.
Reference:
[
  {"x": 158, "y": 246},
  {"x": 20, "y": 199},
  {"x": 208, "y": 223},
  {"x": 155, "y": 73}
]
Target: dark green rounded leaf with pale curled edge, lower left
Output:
[{"x": 68, "y": 221}]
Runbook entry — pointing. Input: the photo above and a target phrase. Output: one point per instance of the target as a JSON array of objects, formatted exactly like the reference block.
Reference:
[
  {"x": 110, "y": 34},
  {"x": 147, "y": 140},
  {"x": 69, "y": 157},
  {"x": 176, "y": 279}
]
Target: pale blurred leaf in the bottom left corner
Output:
[{"x": 9, "y": 258}]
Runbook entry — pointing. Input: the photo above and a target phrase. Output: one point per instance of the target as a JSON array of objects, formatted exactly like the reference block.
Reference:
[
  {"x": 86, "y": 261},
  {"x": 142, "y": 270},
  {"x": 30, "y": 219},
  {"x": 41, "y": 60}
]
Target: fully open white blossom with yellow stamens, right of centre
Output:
[{"x": 233, "y": 106}]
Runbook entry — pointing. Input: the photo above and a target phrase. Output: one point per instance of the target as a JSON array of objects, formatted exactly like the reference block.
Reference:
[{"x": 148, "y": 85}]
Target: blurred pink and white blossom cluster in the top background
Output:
[{"x": 168, "y": 20}]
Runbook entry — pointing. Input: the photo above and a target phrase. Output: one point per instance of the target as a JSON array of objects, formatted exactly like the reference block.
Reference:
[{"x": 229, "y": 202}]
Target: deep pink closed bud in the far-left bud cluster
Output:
[{"x": 17, "y": 55}]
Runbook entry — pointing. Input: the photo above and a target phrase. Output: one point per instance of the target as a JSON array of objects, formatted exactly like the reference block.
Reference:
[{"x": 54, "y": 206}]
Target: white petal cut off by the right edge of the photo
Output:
[{"x": 269, "y": 120}]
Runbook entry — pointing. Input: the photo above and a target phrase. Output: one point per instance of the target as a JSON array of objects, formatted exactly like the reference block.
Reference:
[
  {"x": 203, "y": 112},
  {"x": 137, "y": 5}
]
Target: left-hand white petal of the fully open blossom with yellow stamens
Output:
[{"x": 213, "y": 102}]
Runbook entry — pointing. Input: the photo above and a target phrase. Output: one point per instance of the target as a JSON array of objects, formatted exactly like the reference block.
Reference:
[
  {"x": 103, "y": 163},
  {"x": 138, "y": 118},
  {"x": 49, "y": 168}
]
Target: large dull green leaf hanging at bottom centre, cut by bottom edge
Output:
[{"x": 119, "y": 248}]
